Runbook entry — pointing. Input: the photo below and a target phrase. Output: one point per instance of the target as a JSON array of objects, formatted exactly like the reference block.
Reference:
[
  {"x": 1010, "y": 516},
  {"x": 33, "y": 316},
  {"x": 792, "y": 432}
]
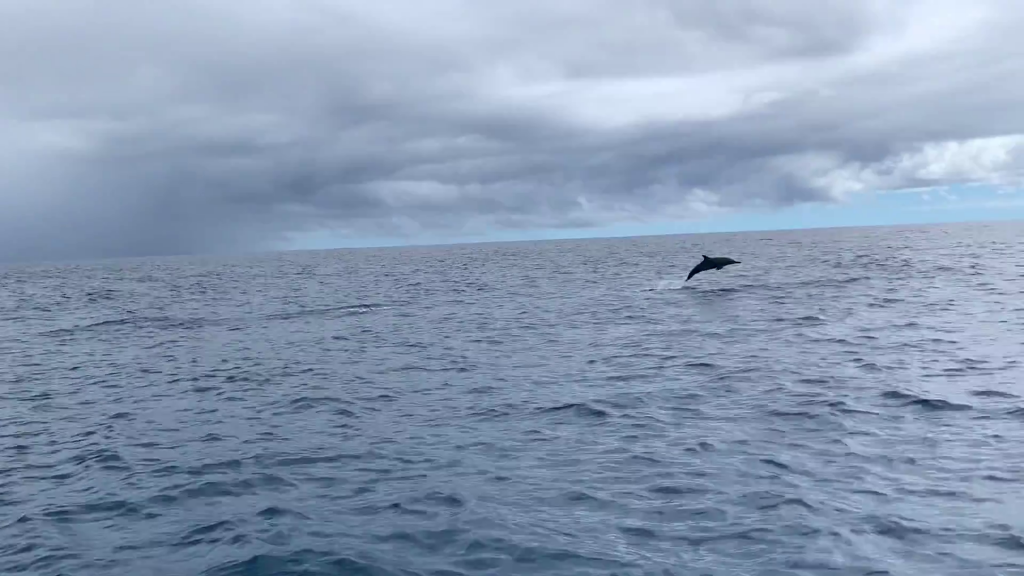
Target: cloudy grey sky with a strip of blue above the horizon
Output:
[{"x": 134, "y": 129}]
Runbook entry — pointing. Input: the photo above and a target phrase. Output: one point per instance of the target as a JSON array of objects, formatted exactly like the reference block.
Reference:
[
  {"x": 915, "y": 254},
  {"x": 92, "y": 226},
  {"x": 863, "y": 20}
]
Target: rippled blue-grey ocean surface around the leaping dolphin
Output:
[{"x": 844, "y": 402}]
